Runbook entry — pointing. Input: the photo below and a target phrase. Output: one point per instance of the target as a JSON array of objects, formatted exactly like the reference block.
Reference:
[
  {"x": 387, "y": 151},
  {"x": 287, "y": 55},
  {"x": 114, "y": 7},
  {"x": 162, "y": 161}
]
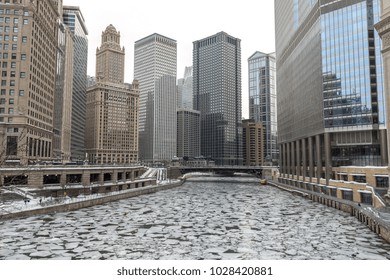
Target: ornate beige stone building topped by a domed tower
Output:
[{"x": 112, "y": 107}]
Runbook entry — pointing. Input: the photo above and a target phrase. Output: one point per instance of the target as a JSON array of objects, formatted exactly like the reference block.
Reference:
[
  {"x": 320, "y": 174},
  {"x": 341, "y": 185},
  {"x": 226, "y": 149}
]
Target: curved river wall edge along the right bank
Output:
[{"x": 365, "y": 215}]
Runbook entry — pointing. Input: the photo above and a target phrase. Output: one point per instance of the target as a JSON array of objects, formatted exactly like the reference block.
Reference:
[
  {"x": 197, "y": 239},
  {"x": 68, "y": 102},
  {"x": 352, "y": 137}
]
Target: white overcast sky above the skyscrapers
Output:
[{"x": 252, "y": 21}]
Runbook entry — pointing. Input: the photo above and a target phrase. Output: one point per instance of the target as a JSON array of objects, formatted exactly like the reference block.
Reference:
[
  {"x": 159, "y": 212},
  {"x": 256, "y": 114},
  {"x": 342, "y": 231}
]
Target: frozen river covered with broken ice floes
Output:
[{"x": 200, "y": 220}]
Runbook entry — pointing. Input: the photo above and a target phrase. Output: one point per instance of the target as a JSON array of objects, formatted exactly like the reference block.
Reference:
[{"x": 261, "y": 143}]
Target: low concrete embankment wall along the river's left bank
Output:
[{"x": 90, "y": 202}]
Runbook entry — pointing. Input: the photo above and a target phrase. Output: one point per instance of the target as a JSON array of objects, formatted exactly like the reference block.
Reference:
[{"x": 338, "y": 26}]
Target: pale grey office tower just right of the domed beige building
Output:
[{"x": 155, "y": 59}]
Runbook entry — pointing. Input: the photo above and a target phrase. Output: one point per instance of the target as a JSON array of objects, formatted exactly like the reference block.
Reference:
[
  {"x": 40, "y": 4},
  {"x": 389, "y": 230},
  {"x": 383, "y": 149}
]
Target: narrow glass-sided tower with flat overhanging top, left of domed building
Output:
[{"x": 74, "y": 20}]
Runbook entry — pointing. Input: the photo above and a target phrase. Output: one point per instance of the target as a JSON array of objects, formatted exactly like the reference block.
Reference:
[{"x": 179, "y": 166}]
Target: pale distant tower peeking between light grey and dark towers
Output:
[{"x": 184, "y": 93}]
